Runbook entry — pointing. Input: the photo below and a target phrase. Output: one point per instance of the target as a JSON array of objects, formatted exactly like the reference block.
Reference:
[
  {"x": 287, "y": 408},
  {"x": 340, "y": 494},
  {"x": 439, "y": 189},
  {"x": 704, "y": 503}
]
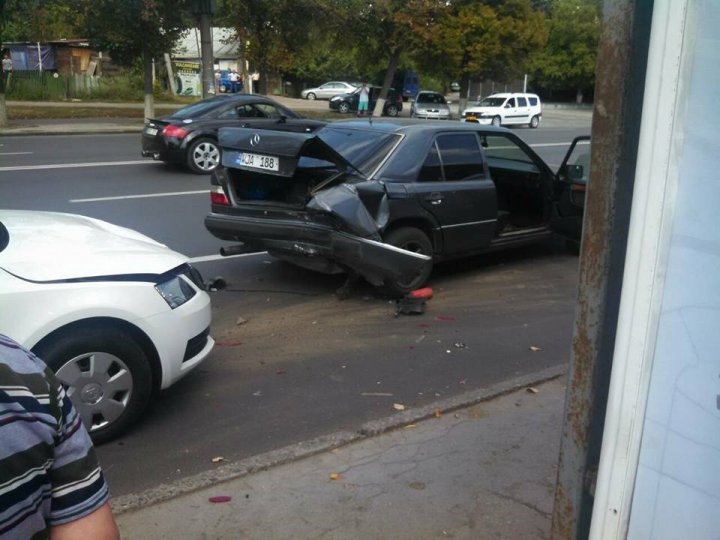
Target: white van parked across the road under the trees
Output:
[{"x": 506, "y": 109}]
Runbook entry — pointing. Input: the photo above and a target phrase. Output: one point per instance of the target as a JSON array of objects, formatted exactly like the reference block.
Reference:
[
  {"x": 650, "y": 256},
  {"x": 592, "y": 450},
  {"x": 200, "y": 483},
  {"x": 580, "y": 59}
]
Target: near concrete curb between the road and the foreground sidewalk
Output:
[{"x": 301, "y": 450}]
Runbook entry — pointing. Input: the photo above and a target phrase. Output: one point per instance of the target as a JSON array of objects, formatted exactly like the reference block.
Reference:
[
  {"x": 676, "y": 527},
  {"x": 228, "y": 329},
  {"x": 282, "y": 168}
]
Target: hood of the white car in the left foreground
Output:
[{"x": 48, "y": 246}]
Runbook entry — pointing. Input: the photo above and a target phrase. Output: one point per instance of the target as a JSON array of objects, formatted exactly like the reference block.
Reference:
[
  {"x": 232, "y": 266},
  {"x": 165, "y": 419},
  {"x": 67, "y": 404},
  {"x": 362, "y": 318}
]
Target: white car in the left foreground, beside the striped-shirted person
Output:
[{"x": 114, "y": 313}]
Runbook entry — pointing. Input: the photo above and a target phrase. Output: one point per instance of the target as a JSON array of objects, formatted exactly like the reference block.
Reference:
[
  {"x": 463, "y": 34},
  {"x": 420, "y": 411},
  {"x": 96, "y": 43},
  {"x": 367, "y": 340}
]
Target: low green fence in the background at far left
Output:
[{"x": 45, "y": 85}]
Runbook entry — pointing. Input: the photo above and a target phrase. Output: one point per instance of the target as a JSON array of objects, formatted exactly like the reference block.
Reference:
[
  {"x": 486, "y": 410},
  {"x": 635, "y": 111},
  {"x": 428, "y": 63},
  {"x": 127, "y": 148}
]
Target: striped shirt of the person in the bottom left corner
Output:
[{"x": 49, "y": 474}]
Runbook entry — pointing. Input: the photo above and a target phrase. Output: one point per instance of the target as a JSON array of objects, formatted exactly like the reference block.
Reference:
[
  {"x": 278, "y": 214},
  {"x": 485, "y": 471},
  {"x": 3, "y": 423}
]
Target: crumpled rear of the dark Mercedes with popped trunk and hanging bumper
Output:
[{"x": 294, "y": 195}]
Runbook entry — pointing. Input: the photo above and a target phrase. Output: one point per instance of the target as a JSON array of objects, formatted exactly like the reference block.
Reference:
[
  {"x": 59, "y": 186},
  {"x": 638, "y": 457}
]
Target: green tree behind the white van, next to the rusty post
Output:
[{"x": 569, "y": 58}]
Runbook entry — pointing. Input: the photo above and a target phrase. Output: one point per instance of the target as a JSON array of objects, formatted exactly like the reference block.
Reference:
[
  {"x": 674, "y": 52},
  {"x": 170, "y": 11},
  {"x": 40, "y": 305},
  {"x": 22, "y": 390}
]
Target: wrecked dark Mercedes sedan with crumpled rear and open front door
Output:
[{"x": 386, "y": 200}]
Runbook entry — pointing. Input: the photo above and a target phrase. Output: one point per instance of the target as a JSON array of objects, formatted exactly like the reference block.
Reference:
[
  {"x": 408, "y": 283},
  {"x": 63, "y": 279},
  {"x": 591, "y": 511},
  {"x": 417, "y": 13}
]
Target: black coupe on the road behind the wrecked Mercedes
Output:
[{"x": 189, "y": 135}]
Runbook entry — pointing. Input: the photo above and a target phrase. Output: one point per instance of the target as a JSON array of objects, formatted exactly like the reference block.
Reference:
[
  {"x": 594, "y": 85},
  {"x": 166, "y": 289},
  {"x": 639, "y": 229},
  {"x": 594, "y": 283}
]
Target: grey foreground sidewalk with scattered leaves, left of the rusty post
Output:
[{"x": 483, "y": 471}]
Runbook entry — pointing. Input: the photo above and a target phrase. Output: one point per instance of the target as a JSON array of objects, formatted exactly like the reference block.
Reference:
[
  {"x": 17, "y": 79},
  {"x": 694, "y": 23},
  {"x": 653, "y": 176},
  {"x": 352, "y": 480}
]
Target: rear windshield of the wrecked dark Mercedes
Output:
[{"x": 363, "y": 149}]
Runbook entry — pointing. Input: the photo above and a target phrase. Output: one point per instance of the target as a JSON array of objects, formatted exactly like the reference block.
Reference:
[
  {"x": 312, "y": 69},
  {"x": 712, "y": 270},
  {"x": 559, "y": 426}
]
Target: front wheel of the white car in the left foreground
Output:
[{"x": 114, "y": 372}]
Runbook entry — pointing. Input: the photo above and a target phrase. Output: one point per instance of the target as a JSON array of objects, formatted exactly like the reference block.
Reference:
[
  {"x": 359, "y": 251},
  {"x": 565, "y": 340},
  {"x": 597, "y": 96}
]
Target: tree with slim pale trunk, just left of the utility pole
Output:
[{"x": 134, "y": 29}]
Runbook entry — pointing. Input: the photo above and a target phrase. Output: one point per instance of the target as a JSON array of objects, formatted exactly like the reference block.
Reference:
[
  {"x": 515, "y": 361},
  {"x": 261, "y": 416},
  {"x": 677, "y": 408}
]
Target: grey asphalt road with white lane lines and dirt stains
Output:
[{"x": 304, "y": 364}]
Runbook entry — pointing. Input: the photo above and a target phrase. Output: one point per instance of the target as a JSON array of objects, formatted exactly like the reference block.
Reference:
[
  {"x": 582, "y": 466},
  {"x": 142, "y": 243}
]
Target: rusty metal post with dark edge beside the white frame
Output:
[{"x": 620, "y": 78}]
